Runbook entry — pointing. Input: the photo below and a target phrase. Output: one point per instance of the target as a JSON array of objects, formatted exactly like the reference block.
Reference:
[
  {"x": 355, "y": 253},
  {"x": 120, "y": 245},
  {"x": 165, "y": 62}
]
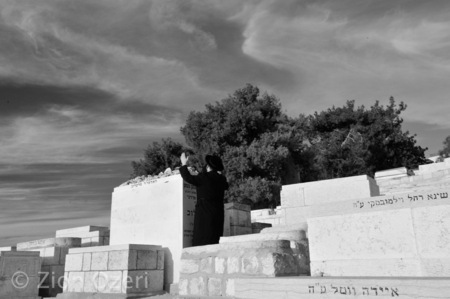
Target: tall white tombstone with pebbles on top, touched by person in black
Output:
[{"x": 155, "y": 212}]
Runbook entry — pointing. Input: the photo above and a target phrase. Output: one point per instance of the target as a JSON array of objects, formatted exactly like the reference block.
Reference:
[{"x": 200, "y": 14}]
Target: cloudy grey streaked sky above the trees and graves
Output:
[{"x": 86, "y": 85}]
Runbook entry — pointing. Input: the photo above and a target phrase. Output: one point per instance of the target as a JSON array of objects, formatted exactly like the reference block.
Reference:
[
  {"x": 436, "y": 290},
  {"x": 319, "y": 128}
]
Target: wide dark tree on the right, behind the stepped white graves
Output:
[{"x": 355, "y": 140}]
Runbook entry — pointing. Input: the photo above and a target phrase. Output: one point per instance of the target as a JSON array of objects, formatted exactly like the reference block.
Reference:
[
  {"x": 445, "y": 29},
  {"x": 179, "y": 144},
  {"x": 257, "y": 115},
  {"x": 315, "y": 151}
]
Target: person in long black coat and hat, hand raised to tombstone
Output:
[{"x": 209, "y": 212}]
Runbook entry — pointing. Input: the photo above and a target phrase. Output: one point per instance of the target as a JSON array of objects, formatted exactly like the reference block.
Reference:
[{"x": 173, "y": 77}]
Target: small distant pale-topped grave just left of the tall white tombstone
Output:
[{"x": 90, "y": 235}]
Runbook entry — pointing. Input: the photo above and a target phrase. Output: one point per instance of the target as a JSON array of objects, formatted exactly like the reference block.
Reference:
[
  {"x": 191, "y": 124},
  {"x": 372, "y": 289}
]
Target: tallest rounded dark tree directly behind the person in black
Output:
[{"x": 259, "y": 144}]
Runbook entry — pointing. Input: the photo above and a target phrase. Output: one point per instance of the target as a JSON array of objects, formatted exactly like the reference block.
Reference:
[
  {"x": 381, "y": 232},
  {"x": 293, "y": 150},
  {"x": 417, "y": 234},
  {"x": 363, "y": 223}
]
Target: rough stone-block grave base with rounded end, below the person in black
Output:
[{"x": 210, "y": 270}]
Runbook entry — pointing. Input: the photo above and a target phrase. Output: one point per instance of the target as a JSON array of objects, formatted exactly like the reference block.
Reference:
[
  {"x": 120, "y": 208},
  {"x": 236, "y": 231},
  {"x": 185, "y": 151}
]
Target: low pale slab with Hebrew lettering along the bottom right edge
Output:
[{"x": 341, "y": 287}]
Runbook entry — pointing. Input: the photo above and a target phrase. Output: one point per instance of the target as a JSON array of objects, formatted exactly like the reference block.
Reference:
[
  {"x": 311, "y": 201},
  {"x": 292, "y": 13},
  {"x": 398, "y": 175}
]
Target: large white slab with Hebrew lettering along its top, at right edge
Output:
[{"x": 398, "y": 235}]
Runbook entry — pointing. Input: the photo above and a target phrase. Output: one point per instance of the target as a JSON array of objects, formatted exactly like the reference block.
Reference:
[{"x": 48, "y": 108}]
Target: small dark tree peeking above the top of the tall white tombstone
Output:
[{"x": 158, "y": 157}]
